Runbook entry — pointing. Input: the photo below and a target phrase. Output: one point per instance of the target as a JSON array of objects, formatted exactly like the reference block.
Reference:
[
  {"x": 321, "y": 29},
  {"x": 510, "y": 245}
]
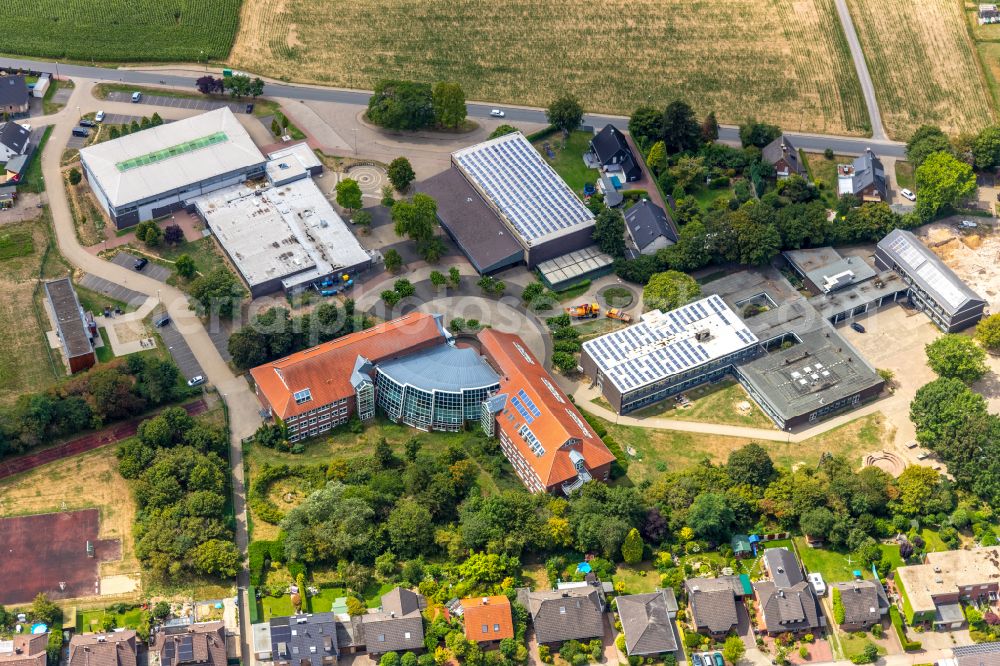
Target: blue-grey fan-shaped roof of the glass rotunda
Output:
[{"x": 442, "y": 368}]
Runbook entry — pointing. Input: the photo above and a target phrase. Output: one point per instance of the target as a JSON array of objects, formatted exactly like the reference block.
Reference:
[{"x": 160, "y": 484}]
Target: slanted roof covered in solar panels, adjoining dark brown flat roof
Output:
[{"x": 528, "y": 192}]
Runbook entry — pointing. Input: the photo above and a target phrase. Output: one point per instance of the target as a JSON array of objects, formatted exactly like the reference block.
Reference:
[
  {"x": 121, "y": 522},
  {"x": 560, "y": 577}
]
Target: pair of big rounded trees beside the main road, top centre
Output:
[{"x": 409, "y": 105}]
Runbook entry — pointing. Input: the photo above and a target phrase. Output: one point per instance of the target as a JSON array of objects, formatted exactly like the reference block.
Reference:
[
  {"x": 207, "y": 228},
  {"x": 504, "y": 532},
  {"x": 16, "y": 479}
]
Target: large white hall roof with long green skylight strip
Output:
[{"x": 173, "y": 156}]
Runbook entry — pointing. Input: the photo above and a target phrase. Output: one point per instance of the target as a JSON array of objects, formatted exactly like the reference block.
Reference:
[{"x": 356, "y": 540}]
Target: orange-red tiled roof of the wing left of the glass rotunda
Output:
[{"x": 326, "y": 369}]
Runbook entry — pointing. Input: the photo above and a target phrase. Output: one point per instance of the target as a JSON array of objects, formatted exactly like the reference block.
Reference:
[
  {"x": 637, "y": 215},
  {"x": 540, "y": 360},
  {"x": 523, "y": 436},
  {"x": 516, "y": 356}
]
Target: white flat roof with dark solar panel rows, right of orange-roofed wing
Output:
[{"x": 667, "y": 343}]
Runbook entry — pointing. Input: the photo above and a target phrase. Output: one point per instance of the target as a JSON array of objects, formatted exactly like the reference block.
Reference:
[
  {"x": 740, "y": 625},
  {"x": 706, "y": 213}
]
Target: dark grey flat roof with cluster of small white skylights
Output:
[{"x": 820, "y": 370}]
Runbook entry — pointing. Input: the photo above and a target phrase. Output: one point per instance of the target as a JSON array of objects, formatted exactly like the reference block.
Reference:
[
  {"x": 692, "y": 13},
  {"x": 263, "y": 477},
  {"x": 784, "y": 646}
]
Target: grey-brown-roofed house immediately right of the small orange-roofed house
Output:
[{"x": 564, "y": 615}]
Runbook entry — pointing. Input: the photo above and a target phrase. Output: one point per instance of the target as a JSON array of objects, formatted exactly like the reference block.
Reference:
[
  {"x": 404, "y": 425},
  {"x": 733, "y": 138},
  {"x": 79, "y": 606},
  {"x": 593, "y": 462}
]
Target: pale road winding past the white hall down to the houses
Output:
[{"x": 242, "y": 404}]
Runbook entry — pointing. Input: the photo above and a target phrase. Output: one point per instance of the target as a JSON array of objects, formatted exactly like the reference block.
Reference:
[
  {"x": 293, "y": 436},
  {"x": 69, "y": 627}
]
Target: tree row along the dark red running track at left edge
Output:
[{"x": 111, "y": 392}]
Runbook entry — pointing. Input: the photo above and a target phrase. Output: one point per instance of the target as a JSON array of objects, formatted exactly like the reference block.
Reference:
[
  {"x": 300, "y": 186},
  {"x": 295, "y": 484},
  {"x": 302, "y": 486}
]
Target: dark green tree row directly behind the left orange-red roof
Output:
[{"x": 275, "y": 332}]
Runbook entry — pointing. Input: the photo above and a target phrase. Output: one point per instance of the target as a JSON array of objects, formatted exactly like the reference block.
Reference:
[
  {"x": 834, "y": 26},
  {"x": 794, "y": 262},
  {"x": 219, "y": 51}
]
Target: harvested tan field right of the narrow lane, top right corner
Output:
[{"x": 923, "y": 64}]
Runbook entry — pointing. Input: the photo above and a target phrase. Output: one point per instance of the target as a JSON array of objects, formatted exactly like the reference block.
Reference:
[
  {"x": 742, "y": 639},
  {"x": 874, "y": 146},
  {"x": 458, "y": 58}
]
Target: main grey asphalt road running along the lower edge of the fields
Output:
[{"x": 811, "y": 142}]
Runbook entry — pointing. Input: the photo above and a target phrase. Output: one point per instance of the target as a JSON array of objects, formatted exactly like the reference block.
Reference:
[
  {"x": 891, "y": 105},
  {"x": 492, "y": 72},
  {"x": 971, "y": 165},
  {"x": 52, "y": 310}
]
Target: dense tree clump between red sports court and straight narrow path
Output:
[{"x": 180, "y": 480}]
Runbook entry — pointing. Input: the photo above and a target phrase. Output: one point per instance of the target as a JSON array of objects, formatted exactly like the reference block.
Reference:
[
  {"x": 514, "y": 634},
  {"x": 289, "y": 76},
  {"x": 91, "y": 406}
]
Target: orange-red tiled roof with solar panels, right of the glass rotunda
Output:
[{"x": 559, "y": 423}]
